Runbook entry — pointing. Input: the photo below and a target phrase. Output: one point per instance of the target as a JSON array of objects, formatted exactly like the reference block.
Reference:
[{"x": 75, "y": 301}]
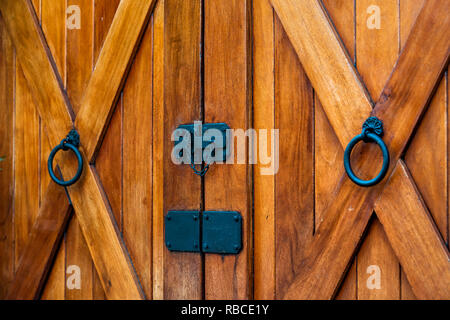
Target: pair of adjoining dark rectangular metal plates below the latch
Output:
[{"x": 220, "y": 231}]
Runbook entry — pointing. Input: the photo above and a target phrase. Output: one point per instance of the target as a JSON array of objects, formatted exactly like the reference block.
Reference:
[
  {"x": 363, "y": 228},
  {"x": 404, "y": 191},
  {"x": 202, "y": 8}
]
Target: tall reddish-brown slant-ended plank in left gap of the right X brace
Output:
[{"x": 294, "y": 210}]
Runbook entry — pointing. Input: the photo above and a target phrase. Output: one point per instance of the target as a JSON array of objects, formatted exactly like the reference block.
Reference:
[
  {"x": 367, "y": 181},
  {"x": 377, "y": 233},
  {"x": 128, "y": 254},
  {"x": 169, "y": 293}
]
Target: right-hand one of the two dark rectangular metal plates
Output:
[{"x": 222, "y": 232}]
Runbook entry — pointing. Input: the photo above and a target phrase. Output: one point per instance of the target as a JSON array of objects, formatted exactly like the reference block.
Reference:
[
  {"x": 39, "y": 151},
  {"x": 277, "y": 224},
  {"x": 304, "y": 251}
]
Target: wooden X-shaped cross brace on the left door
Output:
[{"x": 108, "y": 252}]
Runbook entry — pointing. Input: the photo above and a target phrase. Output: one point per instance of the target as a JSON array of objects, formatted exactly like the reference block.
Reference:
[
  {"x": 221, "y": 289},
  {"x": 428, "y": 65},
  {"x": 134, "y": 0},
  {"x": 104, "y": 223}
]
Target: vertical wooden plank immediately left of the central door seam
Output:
[{"x": 182, "y": 189}]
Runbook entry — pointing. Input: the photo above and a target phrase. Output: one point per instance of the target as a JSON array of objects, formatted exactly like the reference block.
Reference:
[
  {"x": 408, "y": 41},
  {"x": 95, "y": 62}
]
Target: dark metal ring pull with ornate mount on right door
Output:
[{"x": 372, "y": 132}]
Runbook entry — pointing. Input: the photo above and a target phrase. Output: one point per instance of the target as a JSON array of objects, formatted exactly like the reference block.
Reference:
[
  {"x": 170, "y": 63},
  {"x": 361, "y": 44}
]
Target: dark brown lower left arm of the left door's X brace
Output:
[{"x": 46, "y": 235}]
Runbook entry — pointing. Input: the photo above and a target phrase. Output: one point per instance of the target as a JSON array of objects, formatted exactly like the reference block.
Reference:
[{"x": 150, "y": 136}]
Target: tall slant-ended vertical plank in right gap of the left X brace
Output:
[{"x": 137, "y": 161}]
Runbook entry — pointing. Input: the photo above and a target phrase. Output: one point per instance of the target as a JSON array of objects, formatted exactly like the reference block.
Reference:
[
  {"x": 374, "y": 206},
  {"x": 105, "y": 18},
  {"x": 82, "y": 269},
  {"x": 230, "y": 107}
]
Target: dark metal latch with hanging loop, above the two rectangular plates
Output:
[{"x": 199, "y": 143}]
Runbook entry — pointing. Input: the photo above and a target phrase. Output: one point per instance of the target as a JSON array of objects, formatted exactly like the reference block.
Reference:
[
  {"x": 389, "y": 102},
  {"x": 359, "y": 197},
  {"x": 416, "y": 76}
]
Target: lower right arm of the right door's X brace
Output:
[{"x": 424, "y": 256}]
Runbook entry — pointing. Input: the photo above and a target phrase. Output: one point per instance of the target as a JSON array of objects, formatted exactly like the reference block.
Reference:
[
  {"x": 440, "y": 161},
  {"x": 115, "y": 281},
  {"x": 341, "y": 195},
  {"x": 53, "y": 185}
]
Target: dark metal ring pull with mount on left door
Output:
[{"x": 71, "y": 142}]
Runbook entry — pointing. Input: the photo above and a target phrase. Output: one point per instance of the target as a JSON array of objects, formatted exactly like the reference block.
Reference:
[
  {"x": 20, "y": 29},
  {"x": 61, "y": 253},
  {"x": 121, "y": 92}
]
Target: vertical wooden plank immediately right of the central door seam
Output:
[{"x": 227, "y": 99}]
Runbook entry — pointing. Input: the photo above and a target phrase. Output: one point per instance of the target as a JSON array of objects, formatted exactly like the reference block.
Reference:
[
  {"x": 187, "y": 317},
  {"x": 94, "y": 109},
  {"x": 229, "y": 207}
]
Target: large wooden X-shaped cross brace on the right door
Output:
[{"x": 397, "y": 201}]
